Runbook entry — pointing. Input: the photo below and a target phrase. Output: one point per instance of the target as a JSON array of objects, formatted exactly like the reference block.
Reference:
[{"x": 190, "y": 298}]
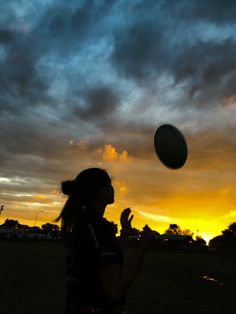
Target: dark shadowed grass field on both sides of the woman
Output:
[{"x": 32, "y": 281}]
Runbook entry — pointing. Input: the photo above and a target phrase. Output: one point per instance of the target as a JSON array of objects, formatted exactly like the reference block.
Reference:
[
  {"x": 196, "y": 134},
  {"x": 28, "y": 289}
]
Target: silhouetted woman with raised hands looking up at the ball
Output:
[{"x": 97, "y": 280}]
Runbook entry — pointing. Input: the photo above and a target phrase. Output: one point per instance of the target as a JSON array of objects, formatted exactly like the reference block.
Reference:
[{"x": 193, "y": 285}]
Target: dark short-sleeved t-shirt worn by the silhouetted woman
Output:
[{"x": 94, "y": 246}]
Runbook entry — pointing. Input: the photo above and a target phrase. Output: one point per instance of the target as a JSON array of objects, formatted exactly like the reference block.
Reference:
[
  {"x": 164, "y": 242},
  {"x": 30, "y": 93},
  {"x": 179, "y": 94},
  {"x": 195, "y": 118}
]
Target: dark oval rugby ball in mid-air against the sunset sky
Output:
[{"x": 170, "y": 146}]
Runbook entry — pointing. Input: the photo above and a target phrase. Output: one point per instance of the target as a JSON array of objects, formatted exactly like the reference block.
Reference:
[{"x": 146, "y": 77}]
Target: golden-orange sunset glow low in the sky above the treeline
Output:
[{"x": 199, "y": 197}]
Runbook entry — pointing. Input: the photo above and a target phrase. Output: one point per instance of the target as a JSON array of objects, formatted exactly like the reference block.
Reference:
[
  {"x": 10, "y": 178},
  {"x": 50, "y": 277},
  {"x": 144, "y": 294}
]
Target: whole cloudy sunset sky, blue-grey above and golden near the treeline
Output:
[{"x": 87, "y": 83}]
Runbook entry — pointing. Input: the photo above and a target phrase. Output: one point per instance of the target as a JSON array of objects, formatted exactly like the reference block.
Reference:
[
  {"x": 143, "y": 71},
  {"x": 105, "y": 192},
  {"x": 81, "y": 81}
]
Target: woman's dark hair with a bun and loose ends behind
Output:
[{"x": 82, "y": 192}]
